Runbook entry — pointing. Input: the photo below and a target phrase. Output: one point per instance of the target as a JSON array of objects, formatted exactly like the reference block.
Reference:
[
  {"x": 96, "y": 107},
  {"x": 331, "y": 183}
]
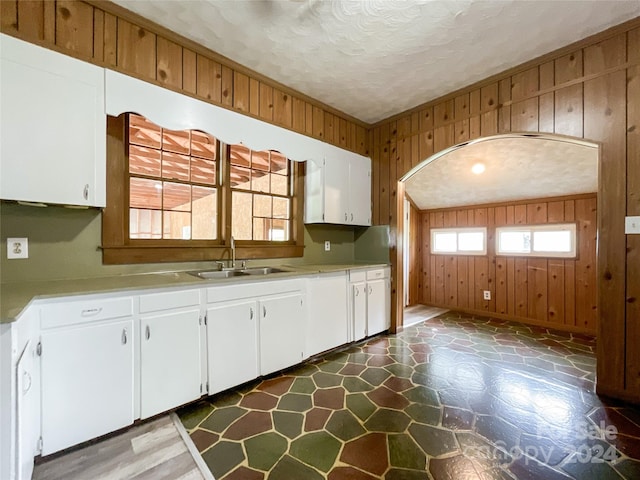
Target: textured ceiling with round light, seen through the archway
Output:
[{"x": 517, "y": 168}]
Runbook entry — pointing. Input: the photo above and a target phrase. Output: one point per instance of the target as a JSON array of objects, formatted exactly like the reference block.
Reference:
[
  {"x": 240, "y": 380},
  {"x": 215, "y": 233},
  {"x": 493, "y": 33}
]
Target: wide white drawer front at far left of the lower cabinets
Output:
[{"x": 82, "y": 311}]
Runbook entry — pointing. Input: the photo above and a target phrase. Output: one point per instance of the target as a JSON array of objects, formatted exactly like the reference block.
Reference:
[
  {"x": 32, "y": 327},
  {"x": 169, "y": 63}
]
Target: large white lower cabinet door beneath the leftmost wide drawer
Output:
[{"x": 87, "y": 382}]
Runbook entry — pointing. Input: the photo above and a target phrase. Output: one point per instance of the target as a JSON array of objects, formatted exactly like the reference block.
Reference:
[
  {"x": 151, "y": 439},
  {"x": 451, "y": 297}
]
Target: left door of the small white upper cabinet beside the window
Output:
[{"x": 336, "y": 190}]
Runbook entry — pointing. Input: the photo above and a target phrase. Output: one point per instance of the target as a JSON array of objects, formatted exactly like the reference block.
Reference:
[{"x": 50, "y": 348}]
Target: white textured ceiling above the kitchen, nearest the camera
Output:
[{"x": 374, "y": 58}]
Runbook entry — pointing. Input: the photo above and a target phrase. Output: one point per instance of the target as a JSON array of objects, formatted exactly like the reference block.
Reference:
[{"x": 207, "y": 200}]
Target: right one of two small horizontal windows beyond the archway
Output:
[{"x": 537, "y": 240}]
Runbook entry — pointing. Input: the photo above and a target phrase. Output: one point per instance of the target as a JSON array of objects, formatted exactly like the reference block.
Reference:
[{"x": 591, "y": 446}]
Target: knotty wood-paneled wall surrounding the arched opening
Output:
[{"x": 588, "y": 90}]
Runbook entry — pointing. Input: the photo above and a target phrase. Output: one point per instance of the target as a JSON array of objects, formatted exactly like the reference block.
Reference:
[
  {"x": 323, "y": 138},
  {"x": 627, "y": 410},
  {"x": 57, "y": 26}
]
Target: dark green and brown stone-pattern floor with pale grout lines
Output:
[{"x": 454, "y": 397}]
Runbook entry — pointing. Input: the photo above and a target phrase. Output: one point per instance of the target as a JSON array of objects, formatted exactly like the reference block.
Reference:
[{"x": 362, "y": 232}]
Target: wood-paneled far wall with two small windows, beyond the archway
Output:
[{"x": 559, "y": 293}]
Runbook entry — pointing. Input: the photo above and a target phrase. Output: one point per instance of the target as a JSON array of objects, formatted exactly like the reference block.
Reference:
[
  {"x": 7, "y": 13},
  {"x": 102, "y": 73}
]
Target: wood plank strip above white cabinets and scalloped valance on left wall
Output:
[{"x": 107, "y": 35}]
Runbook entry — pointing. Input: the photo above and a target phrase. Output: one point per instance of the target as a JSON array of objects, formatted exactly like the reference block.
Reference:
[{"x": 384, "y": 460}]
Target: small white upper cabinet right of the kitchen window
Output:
[{"x": 338, "y": 190}]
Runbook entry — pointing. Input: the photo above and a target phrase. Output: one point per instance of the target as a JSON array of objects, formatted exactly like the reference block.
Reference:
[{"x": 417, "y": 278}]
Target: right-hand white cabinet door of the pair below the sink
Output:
[{"x": 281, "y": 332}]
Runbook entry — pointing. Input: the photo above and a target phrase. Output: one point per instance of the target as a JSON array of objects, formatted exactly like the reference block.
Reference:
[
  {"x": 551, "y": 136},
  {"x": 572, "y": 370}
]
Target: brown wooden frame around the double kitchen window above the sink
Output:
[{"x": 118, "y": 248}]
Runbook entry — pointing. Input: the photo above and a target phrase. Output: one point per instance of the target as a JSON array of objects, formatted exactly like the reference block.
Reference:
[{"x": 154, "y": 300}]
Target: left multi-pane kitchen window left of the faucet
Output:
[{"x": 173, "y": 183}]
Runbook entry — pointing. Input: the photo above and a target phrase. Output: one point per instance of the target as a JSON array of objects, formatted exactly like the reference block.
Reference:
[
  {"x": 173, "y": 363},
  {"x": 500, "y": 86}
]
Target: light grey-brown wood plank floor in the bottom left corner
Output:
[{"x": 154, "y": 450}]
